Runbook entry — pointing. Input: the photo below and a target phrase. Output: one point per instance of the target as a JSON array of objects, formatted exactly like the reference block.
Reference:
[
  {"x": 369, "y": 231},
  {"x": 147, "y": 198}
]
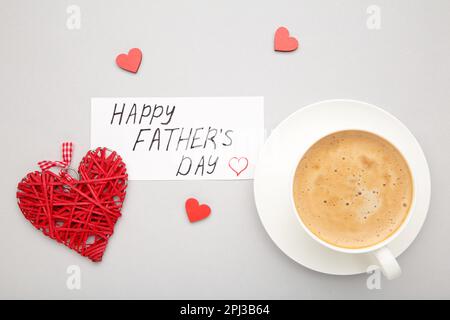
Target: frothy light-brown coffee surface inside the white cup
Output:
[{"x": 353, "y": 189}]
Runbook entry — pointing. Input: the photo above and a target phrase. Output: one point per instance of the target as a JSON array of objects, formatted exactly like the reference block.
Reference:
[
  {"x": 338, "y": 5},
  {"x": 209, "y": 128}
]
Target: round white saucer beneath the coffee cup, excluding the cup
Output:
[{"x": 281, "y": 152}]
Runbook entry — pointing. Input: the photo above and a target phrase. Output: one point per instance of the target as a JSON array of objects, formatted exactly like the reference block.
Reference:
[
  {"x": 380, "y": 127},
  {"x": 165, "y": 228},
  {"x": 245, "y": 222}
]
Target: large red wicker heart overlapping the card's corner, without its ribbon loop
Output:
[{"x": 80, "y": 214}]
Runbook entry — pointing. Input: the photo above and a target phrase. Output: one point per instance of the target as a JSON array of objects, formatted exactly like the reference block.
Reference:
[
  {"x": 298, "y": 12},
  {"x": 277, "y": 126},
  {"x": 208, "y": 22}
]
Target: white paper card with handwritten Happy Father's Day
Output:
[{"x": 181, "y": 138}]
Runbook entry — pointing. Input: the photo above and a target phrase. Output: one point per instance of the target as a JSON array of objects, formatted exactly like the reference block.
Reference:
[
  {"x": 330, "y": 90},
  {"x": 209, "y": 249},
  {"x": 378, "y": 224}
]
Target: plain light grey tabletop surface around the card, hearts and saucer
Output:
[{"x": 212, "y": 48}]
